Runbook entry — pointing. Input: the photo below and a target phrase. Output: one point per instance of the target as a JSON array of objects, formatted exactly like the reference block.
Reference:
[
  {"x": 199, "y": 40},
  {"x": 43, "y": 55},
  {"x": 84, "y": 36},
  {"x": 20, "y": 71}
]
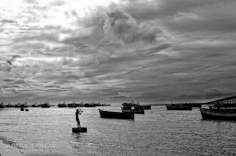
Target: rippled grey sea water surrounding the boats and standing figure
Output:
[{"x": 158, "y": 132}]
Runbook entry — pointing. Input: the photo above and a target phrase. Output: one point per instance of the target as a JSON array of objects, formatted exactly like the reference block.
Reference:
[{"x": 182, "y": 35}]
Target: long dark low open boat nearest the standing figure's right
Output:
[{"x": 116, "y": 115}]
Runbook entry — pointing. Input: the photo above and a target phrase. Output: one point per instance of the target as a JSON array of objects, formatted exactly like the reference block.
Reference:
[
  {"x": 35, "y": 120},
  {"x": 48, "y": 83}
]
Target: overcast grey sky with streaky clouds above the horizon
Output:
[{"x": 115, "y": 51}]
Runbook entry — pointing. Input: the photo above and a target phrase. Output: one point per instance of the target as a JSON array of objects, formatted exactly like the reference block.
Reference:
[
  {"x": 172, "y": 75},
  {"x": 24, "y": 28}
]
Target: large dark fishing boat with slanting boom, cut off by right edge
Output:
[{"x": 222, "y": 109}]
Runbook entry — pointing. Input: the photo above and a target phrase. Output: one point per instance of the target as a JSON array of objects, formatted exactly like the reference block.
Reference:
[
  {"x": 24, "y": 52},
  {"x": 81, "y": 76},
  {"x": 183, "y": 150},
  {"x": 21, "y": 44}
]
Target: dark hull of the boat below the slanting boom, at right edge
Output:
[{"x": 217, "y": 114}]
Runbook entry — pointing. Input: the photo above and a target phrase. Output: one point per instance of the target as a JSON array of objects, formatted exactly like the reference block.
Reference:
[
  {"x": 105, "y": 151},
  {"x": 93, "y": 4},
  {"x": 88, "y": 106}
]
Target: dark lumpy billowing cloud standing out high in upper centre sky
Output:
[{"x": 121, "y": 27}]
